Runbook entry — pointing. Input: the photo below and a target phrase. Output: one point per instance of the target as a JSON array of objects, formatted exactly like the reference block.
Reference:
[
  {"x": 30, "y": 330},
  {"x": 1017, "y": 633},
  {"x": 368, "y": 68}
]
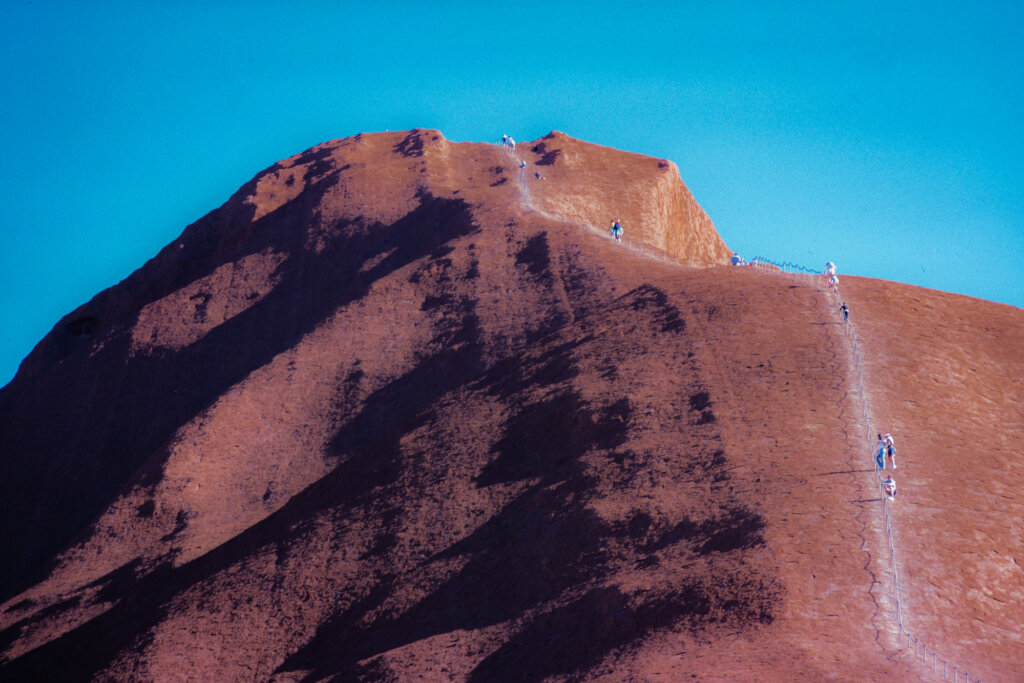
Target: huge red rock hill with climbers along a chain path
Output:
[{"x": 401, "y": 411}]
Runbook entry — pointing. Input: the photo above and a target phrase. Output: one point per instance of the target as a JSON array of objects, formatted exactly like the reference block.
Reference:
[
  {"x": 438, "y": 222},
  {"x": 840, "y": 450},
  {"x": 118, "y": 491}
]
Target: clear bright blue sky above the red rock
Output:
[{"x": 886, "y": 139}]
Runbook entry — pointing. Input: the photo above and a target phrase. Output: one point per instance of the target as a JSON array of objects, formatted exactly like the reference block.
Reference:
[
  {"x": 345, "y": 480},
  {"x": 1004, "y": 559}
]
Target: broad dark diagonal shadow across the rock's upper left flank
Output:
[{"x": 59, "y": 472}]
